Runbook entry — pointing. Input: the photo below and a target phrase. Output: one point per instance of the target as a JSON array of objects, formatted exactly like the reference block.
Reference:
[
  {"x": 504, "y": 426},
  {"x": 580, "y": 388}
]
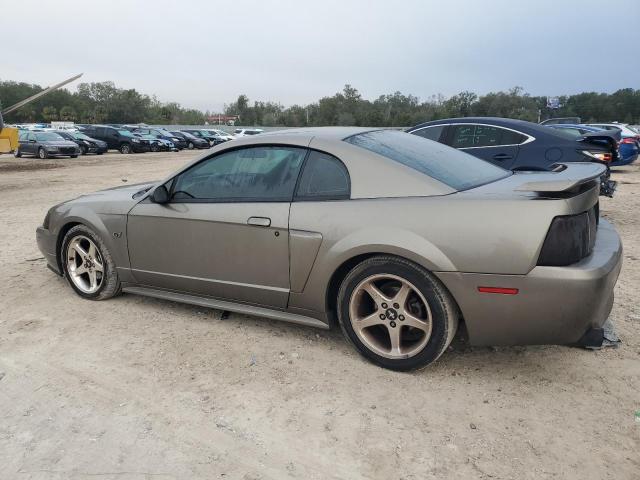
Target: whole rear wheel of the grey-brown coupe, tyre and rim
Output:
[{"x": 396, "y": 313}]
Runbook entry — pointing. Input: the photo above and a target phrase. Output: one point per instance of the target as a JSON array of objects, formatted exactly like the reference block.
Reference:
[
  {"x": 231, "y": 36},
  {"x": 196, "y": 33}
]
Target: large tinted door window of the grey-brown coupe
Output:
[{"x": 260, "y": 174}]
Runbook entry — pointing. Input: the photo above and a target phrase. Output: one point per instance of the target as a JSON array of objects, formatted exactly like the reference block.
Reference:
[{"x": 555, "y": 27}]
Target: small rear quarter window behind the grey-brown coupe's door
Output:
[{"x": 324, "y": 178}]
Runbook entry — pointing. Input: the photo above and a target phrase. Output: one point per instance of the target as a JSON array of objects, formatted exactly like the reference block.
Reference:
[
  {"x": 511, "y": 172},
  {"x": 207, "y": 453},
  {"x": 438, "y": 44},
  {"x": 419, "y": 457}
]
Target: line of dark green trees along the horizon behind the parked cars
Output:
[{"x": 103, "y": 102}]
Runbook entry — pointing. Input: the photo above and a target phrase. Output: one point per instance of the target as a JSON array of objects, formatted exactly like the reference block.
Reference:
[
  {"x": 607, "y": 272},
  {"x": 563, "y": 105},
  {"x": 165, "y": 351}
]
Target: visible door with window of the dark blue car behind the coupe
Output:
[{"x": 495, "y": 144}]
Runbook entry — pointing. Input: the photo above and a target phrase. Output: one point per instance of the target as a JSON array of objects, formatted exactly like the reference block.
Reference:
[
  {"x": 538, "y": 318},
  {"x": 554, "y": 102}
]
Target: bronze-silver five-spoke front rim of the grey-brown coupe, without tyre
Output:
[{"x": 85, "y": 264}]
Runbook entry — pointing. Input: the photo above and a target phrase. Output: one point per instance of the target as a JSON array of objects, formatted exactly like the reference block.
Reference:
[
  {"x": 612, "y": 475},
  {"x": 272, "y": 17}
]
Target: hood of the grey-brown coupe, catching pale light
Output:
[{"x": 113, "y": 201}]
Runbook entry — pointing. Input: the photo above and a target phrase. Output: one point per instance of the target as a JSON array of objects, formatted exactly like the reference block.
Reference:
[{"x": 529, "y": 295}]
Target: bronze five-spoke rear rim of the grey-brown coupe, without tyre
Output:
[{"x": 390, "y": 316}]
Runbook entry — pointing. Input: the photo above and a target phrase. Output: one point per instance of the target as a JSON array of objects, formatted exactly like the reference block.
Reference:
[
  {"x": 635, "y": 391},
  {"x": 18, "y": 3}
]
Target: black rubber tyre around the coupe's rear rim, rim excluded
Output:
[{"x": 444, "y": 311}]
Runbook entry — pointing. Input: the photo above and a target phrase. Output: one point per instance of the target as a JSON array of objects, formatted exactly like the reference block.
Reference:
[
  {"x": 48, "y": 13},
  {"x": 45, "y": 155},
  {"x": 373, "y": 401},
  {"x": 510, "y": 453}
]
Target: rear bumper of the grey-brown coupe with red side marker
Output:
[{"x": 554, "y": 305}]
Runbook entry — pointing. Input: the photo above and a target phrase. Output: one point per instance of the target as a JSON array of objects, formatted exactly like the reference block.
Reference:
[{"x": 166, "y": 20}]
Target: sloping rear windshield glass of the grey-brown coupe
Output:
[{"x": 452, "y": 167}]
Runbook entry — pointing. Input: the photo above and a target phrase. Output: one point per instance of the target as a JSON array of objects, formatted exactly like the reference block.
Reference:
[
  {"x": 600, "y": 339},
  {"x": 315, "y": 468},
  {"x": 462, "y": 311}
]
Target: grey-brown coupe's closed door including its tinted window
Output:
[{"x": 224, "y": 232}]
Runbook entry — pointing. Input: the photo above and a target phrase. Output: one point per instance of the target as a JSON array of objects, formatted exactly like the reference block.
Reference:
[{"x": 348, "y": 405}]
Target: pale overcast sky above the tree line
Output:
[{"x": 204, "y": 53}]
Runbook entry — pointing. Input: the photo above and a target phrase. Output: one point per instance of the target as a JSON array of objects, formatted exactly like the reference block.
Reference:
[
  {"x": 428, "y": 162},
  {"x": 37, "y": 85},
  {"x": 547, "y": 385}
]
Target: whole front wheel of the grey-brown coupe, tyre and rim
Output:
[{"x": 88, "y": 265}]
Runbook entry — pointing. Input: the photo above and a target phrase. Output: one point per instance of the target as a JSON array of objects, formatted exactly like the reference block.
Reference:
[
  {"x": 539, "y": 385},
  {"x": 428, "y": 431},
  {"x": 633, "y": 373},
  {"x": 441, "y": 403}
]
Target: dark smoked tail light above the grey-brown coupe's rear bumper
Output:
[{"x": 570, "y": 239}]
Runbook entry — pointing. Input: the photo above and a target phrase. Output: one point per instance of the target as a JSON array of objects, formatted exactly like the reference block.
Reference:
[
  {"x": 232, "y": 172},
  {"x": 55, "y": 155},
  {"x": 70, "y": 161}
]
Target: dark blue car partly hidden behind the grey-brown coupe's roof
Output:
[{"x": 520, "y": 145}]
